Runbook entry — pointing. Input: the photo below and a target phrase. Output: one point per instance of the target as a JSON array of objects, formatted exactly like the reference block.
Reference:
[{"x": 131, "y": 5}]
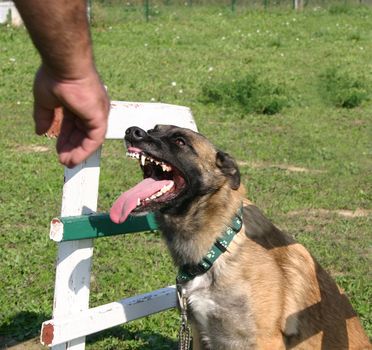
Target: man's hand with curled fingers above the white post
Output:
[{"x": 85, "y": 107}]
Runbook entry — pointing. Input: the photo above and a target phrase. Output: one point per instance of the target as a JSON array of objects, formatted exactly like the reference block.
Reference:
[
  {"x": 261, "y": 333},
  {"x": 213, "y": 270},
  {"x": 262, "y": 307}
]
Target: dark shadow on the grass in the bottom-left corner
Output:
[{"x": 24, "y": 325}]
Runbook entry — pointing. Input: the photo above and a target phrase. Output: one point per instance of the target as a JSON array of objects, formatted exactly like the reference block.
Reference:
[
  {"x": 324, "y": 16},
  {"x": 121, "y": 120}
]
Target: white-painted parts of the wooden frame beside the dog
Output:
[{"x": 72, "y": 318}]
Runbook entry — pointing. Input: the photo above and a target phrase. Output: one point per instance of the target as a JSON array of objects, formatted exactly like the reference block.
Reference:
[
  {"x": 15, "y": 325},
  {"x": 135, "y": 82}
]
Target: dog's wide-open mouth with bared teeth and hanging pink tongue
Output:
[{"x": 162, "y": 182}]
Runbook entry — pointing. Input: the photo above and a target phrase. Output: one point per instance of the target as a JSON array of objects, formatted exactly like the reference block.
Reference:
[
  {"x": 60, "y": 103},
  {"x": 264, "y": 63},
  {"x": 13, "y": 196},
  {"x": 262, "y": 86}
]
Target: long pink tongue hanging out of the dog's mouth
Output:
[{"x": 127, "y": 202}]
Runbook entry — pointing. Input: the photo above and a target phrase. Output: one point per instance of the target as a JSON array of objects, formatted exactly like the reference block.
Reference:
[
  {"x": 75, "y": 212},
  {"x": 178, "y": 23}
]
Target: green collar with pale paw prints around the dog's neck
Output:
[{"x": 188, "y": 272}]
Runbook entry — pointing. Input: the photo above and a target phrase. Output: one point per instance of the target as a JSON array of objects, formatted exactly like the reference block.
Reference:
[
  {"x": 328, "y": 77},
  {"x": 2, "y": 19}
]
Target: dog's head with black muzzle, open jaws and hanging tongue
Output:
[{"x": 178, "y": 165}]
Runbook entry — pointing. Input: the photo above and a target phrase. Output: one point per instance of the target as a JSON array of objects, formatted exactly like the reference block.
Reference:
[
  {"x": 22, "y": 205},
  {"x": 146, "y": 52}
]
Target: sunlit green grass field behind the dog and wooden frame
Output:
[{"x": 172, "y": 59}]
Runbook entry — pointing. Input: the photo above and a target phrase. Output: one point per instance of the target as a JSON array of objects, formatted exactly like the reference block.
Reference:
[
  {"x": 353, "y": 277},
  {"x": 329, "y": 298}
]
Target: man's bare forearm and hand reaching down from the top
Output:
[{"x": 67, "y": 77}]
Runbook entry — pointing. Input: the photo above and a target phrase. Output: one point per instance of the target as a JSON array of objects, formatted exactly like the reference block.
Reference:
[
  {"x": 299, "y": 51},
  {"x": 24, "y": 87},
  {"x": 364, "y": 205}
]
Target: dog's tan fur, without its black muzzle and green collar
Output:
[{"x": 266, "y": 291}]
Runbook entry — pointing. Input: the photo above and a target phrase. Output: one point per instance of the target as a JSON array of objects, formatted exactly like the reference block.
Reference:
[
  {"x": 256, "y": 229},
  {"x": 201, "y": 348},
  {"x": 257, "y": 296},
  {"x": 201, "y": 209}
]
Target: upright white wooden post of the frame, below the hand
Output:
[{"x": 72, "y": 285}]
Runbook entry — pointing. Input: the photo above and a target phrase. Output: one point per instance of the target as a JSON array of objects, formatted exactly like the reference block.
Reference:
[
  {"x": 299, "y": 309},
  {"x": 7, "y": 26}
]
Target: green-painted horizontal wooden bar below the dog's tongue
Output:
[{"x": 100, "y": 225}]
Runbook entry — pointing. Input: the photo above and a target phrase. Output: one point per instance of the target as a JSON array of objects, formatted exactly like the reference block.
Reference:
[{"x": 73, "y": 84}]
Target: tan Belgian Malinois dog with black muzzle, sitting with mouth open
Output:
[{"x": 247, "y": 284}]
